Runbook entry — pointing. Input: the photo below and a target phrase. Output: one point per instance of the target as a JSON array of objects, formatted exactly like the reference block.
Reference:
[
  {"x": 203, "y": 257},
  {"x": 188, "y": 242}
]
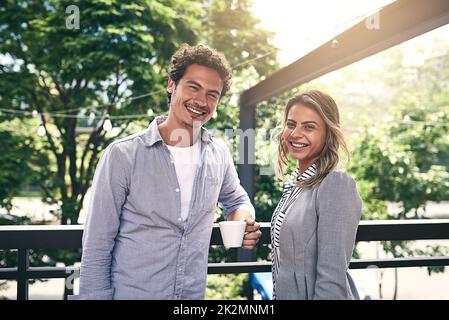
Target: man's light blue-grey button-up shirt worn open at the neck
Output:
[{"x": 135, "y": 245}]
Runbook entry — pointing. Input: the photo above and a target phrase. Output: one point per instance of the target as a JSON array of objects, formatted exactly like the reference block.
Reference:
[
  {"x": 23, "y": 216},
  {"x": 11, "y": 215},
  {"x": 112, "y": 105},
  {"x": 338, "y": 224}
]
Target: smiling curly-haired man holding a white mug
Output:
[{"x": 154, "y": 194}]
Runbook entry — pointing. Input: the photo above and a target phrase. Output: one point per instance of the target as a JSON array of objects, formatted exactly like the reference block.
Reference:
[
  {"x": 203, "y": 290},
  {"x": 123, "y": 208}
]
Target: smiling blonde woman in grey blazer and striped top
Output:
[{"x": 314, "y": 226}]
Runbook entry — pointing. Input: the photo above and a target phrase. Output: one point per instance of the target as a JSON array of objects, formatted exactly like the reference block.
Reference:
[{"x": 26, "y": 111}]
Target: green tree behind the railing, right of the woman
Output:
[{"x": 401, "y": 165}]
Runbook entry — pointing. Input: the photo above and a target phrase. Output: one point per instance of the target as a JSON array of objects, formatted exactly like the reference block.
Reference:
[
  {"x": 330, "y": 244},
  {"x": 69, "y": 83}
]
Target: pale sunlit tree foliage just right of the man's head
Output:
[{"x": 231, "y": 27}]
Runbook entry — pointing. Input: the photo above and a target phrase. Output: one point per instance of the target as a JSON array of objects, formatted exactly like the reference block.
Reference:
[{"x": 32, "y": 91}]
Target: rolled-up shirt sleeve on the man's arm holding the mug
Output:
[{"x": 232, "y": 195}]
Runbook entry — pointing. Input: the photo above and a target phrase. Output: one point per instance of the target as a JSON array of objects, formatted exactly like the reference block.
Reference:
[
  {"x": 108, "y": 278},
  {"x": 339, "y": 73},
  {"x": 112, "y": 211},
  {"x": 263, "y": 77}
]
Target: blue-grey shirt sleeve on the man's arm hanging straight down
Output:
[{"x": 109, "y": 191}]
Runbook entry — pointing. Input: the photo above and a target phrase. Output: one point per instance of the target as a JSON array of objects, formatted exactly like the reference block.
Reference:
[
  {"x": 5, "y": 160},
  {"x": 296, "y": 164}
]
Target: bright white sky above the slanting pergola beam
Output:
[{"x": 303, "y": 25}]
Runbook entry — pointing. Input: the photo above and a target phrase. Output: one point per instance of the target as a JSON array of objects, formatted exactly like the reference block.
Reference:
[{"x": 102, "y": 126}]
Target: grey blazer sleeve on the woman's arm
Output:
[{"x": 339, "y": 209}]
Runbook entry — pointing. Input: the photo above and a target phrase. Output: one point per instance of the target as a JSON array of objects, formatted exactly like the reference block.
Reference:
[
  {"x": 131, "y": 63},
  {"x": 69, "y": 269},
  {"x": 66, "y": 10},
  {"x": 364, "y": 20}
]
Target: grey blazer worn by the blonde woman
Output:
[{"x": 317, "y": 239}]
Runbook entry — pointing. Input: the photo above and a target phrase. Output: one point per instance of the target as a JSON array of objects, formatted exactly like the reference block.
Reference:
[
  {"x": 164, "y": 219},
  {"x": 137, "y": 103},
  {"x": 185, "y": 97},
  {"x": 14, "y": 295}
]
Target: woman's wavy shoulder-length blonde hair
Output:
[{"x": 328, "y": 159}]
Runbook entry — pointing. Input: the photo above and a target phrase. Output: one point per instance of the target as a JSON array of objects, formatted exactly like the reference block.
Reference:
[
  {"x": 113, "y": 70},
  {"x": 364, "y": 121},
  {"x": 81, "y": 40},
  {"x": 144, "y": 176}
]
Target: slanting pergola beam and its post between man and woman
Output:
[{"x": 398, "y": 22}]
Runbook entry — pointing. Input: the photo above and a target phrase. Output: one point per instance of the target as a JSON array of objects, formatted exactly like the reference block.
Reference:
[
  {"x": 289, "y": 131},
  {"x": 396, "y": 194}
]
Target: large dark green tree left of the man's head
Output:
[{"x": 118, "y": 51}]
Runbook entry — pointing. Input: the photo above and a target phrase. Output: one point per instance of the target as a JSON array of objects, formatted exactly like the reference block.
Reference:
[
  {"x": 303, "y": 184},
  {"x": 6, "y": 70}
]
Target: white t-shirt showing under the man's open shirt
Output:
[{"x": 186, "y": 161}]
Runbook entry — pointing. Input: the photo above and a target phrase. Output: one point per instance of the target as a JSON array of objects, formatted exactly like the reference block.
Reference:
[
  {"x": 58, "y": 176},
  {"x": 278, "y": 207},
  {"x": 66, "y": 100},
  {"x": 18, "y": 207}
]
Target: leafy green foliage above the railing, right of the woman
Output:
[{"x": 399, "y": 167}]
